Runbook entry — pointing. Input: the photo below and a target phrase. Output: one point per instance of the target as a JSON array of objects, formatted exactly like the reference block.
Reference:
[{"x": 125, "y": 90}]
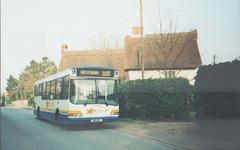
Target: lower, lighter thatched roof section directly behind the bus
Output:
[{"x": 97, "y": 58}]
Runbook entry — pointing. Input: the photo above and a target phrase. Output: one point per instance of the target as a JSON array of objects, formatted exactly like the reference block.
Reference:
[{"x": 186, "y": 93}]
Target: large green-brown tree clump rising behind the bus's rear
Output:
[{"x": 33, "y": 73}]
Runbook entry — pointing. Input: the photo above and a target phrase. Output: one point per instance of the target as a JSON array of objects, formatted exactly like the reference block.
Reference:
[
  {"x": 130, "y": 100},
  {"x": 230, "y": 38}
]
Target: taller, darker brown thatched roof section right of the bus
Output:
[{"x": 171, "y": 50}]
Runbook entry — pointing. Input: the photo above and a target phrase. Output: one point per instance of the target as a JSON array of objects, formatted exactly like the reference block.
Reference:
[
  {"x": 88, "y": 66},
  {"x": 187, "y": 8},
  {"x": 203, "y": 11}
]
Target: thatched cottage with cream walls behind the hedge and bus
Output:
[{"x": 165, "y": 55}]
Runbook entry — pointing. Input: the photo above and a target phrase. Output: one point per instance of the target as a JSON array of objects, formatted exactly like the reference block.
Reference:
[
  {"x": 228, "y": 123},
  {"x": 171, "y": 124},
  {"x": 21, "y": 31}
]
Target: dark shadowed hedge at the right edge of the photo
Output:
[{"x": 217, "y": 91}]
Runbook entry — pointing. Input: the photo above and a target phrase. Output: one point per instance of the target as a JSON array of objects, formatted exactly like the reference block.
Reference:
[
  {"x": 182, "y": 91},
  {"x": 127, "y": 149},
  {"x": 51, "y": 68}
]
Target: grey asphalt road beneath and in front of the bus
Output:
[{"x": 21, "y": 130}]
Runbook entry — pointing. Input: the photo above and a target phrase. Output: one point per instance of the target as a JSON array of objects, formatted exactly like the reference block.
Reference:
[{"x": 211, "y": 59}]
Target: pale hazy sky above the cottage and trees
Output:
[{"x": 33, "y": 29}]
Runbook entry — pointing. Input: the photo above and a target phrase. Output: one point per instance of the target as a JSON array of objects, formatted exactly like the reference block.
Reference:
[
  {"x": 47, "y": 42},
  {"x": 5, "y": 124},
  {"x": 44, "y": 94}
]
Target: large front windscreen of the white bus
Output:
[{"x": 93, "y": 92}]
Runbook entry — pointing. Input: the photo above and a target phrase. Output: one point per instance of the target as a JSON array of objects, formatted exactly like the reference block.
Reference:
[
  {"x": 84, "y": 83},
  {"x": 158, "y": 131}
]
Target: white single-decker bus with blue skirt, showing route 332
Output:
[{"x": 78, "y": 95}]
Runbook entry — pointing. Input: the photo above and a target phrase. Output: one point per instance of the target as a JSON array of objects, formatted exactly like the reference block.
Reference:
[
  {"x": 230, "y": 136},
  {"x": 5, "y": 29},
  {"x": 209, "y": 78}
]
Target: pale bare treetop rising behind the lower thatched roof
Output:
[{"x": 106, "y": 42}]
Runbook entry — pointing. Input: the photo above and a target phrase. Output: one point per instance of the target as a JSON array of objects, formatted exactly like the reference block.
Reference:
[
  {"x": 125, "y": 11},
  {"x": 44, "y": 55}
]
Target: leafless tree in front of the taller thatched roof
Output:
[{"x": 168, "y": 47}]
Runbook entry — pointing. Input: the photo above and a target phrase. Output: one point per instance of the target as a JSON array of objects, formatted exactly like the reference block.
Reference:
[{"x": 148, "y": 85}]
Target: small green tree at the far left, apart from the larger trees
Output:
[{"x": 12, "y": 85}]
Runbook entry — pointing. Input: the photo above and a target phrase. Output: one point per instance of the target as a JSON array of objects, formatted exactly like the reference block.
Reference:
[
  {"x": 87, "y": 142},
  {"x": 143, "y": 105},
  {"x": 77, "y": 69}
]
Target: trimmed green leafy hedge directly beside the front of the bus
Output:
[{"x": 164, "y": 99}]
